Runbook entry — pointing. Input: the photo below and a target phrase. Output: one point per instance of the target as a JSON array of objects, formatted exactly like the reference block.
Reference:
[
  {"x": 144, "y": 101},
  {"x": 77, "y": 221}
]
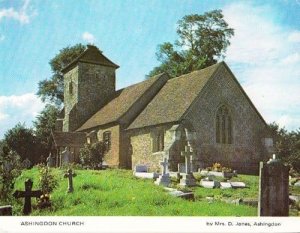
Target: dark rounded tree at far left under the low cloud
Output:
[{"x": 23, "y": 141}]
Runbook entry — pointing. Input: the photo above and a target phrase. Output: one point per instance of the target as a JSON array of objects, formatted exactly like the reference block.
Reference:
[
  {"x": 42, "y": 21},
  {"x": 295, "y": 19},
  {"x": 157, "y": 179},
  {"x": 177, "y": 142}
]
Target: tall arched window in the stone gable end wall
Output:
[{"x": 223, "y": 126}]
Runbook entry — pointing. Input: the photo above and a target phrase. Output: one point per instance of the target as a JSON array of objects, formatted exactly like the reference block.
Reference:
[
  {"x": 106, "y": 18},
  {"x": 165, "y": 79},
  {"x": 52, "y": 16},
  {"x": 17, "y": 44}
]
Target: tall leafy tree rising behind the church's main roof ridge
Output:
[{"x": 203, "y": 39}]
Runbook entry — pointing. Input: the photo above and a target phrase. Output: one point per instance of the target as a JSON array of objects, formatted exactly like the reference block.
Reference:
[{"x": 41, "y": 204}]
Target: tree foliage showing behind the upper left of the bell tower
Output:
[{"x": 52, "y": 90}]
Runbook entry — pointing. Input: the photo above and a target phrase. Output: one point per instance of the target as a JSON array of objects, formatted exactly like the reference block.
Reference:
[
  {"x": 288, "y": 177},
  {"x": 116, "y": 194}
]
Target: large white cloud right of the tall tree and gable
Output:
[{"x": 262, "y": 55}]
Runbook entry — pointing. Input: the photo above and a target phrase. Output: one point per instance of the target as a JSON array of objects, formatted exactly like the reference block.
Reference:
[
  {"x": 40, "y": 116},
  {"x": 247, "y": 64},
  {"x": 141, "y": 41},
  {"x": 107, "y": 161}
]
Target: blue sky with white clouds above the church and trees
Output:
[{"x": 264, "y": 54}]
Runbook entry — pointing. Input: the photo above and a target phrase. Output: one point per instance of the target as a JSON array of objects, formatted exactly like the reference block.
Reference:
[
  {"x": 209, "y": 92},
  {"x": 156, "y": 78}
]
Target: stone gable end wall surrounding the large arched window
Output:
[{"x": 246, "y": 150}]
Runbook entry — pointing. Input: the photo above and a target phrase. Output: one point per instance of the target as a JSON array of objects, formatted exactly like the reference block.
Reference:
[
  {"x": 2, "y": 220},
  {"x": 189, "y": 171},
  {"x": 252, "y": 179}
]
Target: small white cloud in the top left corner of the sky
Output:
[{"x": 23, "y": 15}]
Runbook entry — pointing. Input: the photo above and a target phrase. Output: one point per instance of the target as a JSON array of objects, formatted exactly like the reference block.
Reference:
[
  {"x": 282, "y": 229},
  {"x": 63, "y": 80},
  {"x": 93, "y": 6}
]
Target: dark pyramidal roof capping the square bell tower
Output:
[{"x": 91, "y": 55}]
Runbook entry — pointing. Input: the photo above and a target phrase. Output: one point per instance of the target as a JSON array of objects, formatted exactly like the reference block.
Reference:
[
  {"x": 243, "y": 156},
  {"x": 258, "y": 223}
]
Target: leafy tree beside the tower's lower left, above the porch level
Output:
[{"x": 44, "y": 125}]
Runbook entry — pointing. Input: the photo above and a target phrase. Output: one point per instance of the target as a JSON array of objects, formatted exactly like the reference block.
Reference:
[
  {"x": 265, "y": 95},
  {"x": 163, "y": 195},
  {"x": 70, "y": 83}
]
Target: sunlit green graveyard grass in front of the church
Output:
[{"x": 117, "y": 192}]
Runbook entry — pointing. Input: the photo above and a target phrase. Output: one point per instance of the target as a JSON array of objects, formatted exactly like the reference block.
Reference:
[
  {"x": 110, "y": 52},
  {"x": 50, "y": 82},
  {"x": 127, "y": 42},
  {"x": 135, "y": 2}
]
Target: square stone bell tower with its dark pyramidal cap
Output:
[{"x": 89, "y": 83}]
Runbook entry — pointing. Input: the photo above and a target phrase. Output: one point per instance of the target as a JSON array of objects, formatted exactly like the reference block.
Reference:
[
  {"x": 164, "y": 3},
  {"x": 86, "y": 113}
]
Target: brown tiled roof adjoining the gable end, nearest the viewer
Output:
[{"x": 174, "y": 99}]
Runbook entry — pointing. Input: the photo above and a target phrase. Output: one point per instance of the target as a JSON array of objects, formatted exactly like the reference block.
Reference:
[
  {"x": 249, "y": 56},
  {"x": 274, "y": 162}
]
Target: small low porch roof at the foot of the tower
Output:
[{"x": 73, "y": 139}]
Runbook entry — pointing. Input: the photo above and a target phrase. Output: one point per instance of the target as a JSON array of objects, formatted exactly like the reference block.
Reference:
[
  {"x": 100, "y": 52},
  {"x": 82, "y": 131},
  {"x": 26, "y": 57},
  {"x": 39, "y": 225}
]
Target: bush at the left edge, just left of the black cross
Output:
[{"x": 10, "y": 169}]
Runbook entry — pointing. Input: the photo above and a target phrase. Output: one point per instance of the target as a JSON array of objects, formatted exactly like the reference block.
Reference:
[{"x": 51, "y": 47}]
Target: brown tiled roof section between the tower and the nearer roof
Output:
[{"x": 118, "y": 106}]
